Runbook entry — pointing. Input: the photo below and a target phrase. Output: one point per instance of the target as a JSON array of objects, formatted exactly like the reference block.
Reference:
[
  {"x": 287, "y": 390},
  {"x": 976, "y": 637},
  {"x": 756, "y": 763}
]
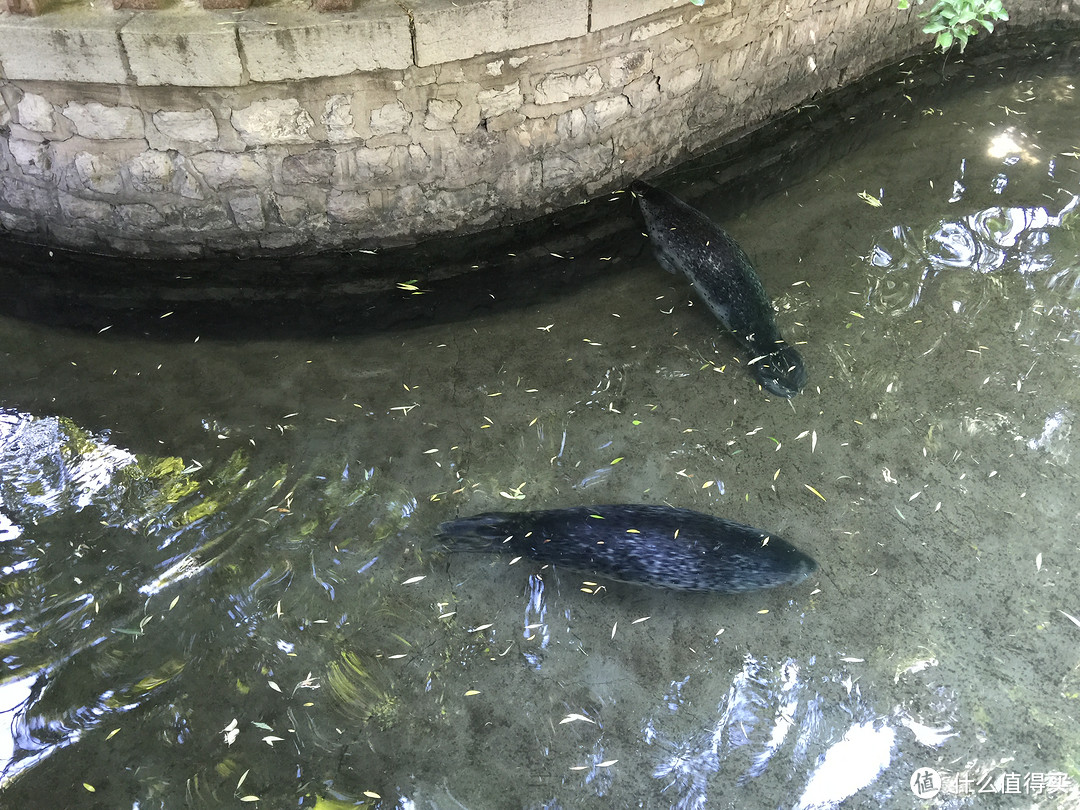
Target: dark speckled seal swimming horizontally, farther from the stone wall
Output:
[{"x": 651, "y": 546}]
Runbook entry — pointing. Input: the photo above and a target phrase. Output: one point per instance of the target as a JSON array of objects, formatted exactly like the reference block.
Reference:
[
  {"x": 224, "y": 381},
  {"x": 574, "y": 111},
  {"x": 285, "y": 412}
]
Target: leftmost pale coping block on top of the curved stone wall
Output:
[{"x": 69, "y": 46}]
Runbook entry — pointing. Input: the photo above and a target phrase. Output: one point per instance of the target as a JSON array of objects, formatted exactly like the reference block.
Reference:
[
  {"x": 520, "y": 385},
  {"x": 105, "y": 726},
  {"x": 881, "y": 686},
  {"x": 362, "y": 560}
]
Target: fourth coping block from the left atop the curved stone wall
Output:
[{"x": 449, "y": 31}]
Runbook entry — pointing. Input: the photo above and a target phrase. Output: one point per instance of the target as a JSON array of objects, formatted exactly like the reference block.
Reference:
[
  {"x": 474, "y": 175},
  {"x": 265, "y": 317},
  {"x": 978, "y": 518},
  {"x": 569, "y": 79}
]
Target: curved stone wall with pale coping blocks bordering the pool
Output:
[{"x": 184, "y": 131}]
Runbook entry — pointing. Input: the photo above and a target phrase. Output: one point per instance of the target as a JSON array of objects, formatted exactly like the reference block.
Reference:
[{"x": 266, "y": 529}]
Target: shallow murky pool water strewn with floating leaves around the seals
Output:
[{"x": 219, "y": 574}]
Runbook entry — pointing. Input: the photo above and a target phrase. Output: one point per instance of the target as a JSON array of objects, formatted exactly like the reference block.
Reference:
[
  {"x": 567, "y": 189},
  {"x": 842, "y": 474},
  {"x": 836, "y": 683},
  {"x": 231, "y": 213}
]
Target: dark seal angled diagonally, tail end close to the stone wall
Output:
[{"x": 685, "y": 240}]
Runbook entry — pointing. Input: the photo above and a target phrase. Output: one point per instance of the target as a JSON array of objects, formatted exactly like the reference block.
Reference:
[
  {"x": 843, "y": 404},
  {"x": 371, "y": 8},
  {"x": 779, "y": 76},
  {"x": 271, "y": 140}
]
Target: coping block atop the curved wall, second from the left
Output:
[{"x": 183, "y": 50}]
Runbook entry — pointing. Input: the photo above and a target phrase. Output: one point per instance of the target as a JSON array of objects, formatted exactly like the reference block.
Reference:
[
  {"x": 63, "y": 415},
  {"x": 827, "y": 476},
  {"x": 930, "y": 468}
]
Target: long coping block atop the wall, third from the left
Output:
[{"x": 279, "y": 46}]
